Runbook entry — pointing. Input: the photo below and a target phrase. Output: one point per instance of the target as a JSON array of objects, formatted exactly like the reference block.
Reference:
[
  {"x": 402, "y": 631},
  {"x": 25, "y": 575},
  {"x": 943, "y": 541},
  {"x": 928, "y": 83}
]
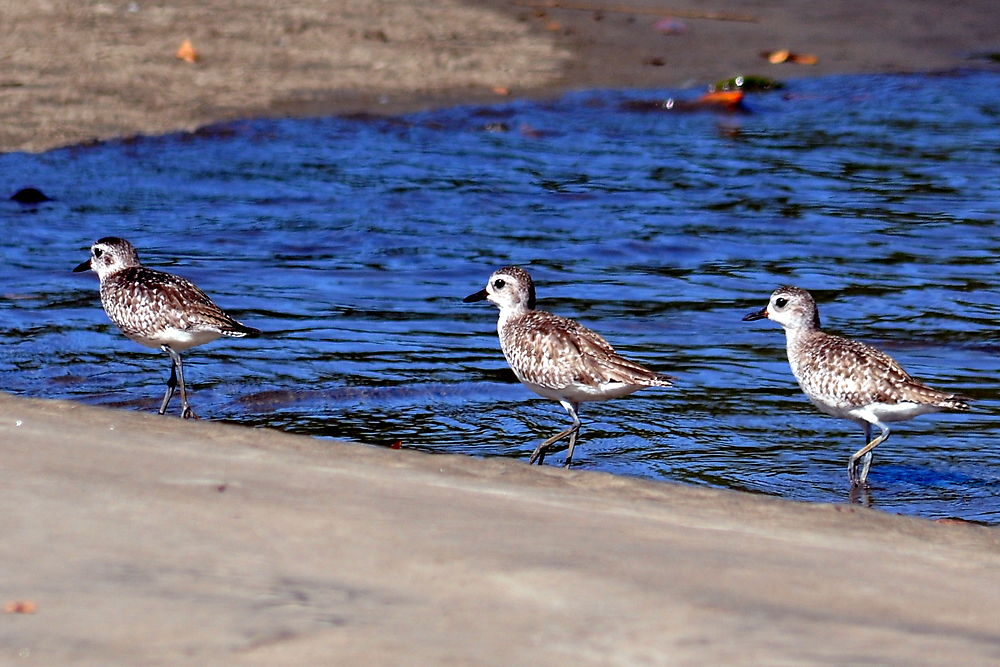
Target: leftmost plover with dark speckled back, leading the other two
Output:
[{"x": 158, "y": 309}]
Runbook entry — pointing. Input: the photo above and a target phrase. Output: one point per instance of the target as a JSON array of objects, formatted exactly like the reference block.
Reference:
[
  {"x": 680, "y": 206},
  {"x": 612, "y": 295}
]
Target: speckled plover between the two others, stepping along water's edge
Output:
[{"x": 556, "y": 357}]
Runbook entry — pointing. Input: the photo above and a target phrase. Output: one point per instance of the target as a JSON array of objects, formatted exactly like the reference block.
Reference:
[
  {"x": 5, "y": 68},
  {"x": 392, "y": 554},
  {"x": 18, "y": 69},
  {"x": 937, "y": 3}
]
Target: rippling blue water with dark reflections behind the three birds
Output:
[{"x": 352, "y": 241}]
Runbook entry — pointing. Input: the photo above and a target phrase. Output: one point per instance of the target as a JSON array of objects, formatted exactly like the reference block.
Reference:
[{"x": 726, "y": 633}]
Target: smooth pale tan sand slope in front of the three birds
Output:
[{"x": 149, "y": 540}]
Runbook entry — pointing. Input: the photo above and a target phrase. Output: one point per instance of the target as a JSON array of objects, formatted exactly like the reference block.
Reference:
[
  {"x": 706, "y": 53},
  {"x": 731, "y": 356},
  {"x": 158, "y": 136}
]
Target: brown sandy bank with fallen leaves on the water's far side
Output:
[{"x": 79, "y": 71}]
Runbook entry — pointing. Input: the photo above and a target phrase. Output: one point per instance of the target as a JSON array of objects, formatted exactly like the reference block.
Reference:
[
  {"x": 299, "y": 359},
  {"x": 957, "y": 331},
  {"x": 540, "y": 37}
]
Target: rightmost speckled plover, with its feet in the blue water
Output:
[{"x": 848, "y": 379}]
